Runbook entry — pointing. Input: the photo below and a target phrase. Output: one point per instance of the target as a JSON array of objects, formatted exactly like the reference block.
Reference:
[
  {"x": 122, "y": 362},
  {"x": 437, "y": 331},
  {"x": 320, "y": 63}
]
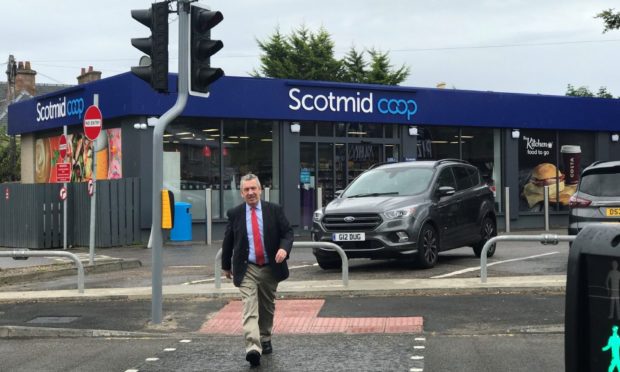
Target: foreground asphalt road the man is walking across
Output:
[{"x": 500, "y": 332}]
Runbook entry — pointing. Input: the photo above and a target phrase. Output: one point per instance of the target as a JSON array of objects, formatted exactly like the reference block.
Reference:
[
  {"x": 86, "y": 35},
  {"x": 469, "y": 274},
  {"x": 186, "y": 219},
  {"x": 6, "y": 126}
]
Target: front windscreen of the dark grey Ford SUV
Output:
[{"x": 390, "y": 181}]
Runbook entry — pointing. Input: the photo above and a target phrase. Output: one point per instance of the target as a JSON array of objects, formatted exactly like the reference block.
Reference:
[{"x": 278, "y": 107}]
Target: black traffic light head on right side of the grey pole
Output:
[{"x": 201, "y": 74}]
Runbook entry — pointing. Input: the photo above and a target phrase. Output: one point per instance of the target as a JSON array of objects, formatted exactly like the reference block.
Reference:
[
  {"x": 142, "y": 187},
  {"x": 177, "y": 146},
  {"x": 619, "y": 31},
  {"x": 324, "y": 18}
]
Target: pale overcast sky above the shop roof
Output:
[{"x": 535, "y": 46}]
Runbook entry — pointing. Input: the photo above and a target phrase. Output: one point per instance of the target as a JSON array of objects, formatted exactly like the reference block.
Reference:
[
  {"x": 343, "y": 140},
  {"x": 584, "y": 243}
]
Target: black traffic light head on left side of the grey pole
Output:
[{"x": 156, "y": 46}]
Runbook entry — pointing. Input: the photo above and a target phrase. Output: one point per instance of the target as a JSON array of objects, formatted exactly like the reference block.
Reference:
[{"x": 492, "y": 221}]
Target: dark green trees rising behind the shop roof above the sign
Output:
[{"x": 310, "y": 56}]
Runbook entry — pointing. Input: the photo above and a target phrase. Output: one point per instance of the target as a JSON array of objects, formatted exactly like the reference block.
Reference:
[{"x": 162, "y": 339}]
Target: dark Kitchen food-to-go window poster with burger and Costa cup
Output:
[{"x": 538, "y": 153}]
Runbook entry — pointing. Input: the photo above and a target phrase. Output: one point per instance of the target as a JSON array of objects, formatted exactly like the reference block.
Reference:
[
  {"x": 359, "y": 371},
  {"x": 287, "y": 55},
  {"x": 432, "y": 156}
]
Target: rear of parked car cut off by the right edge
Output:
[{"x": 597, "y": 198}]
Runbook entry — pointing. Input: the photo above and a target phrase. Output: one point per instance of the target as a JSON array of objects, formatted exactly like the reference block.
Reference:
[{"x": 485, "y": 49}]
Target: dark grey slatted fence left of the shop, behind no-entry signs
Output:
[{"x": 31, "y": 215}]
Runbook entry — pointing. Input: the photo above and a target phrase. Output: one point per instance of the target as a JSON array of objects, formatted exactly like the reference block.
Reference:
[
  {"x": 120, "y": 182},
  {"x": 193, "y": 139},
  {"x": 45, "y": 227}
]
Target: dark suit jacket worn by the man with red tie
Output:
[{"x": 277, "y": 233}]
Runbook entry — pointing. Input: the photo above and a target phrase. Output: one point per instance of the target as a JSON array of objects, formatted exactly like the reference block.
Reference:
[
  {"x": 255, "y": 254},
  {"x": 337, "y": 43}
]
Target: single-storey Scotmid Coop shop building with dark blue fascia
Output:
[{"x": 298, "y": 136}]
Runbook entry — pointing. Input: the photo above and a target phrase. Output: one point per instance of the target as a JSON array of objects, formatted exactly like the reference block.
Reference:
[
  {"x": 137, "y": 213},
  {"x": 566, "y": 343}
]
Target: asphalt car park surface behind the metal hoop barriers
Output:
[{"x": 195, "y": 264}]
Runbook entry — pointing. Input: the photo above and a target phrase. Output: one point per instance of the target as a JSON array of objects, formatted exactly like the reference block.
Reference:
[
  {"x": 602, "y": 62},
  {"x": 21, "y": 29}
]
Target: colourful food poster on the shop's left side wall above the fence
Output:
[{"x": 79, "y": 153}]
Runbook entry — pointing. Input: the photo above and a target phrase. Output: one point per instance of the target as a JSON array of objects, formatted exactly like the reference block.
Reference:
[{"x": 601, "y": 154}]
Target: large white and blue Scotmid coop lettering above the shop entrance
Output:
[{"x": 358, "y": 103}]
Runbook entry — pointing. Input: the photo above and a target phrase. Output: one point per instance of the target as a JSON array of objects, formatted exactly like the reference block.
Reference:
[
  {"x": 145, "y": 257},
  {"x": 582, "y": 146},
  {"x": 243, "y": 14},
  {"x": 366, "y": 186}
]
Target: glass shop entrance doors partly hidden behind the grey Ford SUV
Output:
[{"x": 332, "y": 166}]
